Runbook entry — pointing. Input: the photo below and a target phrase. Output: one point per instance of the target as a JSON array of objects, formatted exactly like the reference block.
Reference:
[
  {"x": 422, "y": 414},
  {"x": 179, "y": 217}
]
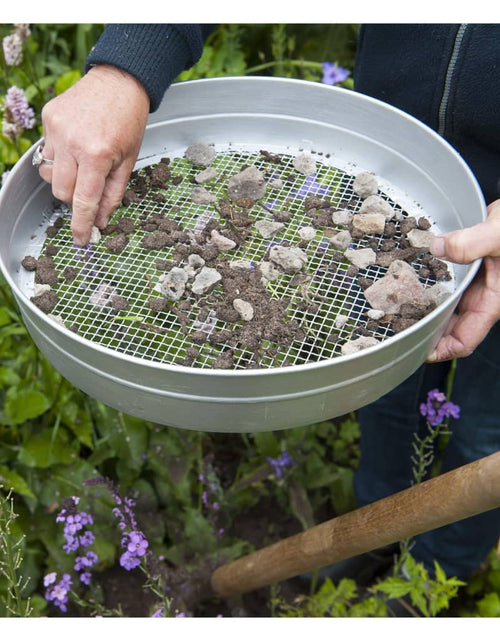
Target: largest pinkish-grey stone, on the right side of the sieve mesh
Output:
[{"x": 399, "y": 286}]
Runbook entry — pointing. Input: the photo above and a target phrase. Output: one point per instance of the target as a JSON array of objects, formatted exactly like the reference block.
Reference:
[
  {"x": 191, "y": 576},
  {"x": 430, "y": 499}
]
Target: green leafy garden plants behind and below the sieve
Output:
[{"x": 54, "y": 438}]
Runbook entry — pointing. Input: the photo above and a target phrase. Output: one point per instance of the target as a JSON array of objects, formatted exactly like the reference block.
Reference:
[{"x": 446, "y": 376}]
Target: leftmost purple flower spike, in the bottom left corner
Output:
[{"x": 77, "y": 537}]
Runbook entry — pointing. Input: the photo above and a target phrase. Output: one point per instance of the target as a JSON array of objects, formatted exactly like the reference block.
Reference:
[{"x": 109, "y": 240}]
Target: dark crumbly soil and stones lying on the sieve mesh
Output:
[{"x": 382, "y": 238}]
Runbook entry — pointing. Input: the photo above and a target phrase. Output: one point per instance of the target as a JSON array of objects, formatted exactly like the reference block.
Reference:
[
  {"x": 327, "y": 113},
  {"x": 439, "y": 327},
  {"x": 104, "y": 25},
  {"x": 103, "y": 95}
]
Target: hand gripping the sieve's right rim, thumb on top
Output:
[{"x": 479, "y": 308}]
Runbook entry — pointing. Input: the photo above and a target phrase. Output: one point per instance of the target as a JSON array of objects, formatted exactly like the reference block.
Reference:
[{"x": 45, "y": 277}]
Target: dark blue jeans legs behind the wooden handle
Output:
[{"x": 387, "y": 431}]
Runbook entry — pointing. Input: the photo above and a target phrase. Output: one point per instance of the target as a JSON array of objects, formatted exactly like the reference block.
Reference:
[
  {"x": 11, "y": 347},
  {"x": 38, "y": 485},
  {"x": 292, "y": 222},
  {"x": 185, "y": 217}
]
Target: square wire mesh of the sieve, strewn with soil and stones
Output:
[{"x": 108, "y": 295}]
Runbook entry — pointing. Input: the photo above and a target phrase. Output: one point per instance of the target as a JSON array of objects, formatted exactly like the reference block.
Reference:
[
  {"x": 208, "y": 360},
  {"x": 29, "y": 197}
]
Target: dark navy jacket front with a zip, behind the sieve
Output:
[{"x": 446, "y": 75}]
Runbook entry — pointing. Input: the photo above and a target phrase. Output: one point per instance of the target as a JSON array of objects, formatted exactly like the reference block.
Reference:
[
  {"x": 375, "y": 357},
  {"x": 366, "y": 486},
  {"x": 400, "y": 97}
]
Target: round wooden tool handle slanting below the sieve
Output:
[{"x": 456, "y": 495}]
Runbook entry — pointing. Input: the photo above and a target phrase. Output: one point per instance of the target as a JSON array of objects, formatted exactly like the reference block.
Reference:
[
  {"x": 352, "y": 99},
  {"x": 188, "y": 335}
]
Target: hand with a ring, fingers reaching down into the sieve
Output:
[{"x": 93, "y": 132}]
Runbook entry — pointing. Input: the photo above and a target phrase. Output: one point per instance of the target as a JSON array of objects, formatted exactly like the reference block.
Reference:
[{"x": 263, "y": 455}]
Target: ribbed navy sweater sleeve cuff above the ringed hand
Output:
[{"x": 155, "y": 54}]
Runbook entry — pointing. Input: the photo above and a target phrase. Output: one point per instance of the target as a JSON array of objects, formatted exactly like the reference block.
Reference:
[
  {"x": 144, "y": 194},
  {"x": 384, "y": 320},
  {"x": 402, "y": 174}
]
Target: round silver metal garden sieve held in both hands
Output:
[{"x": 138, "y": 366}]
